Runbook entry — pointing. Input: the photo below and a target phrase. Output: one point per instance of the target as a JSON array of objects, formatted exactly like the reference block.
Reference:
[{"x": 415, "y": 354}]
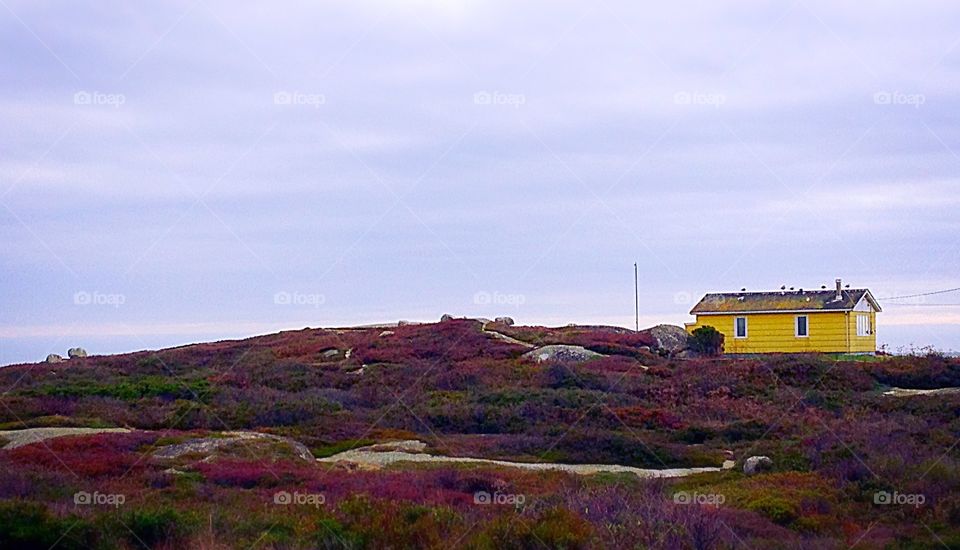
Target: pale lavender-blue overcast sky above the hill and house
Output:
[{"x": 187, "y": 171}]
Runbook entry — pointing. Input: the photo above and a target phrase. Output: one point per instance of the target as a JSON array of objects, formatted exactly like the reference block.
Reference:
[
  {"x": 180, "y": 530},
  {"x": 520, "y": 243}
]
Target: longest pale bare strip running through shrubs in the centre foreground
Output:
[{"x": 378, "y": 456}]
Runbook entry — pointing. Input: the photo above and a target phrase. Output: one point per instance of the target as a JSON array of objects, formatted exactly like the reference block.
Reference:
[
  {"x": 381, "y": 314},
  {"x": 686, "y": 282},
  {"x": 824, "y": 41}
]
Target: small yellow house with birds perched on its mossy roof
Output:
[{"x": 792, "y": 321}]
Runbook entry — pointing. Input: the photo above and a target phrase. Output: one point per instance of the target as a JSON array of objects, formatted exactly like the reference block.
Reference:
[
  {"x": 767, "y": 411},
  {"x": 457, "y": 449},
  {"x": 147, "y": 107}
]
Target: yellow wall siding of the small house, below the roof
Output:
[{"x": 832, "y": 332}]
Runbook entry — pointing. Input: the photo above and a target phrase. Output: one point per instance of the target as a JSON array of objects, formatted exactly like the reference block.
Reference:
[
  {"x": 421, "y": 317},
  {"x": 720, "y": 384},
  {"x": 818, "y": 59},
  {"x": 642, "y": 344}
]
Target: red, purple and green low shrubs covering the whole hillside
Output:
[{"x": 852, "y": 467}]
